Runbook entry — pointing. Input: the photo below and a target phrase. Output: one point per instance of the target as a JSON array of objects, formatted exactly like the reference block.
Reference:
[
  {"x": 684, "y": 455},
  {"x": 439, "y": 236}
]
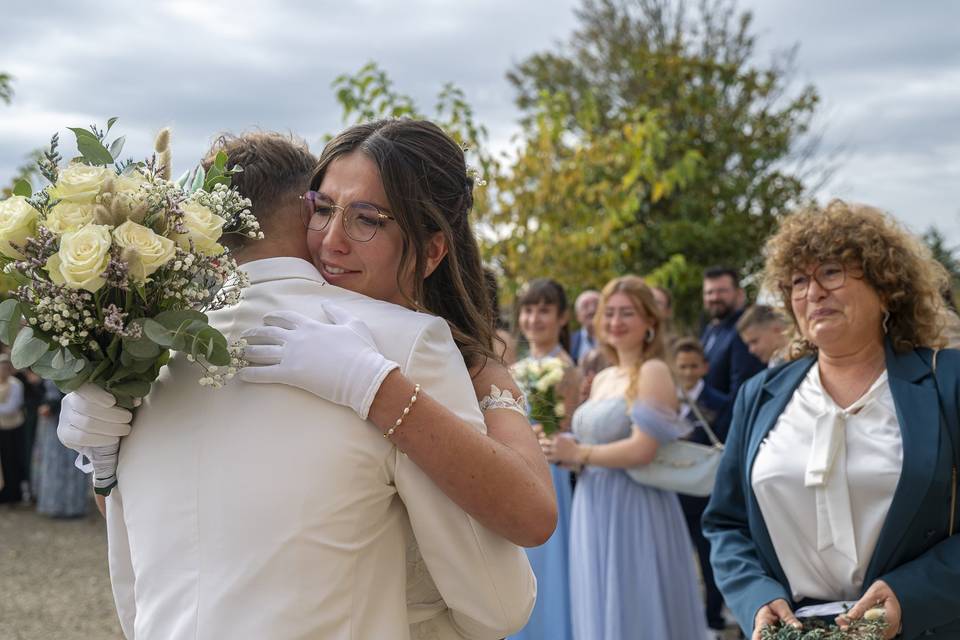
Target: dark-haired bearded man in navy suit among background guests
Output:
[{"x": 731, "y": 363}]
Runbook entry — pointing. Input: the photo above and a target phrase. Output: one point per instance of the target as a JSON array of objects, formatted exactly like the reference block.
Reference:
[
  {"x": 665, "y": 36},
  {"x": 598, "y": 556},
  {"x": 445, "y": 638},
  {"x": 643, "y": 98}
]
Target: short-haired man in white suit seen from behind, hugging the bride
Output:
[{"x": 265, "y": 512}]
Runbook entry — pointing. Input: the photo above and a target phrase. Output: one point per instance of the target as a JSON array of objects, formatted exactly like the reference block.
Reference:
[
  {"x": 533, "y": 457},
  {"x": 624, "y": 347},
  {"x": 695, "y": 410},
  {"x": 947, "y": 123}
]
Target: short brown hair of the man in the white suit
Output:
[{"x": 277, "y": 168}]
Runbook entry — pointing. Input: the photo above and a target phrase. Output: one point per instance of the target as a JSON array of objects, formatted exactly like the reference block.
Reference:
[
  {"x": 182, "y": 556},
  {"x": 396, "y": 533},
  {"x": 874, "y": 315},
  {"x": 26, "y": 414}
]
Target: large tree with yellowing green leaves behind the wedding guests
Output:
[{"x": 654, "y": 143}]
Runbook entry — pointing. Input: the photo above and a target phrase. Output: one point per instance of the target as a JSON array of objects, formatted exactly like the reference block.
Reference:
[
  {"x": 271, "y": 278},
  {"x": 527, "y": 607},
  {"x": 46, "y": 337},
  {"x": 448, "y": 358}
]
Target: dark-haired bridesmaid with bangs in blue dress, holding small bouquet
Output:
[{"x": 543, "y": 320}]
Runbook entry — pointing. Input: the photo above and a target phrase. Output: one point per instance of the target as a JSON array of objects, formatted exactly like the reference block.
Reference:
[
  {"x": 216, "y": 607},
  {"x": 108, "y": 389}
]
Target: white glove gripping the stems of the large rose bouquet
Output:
[{"x": 92, "y": 426}]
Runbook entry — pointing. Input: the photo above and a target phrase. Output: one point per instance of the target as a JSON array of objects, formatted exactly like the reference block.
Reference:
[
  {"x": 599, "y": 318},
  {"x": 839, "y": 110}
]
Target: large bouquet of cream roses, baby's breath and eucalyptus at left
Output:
[{"x": 115, "y": 266}]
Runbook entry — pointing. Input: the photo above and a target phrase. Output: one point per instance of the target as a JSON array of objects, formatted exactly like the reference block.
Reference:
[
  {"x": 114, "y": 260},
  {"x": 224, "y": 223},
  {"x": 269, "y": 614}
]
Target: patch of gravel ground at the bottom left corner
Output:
[{"x": 54, "y": 583}]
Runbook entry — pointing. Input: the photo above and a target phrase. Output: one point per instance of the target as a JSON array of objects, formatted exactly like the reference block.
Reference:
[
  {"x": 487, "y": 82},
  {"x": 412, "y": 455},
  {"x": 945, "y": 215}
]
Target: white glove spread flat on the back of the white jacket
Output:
[{"x": 338, "y": 361}]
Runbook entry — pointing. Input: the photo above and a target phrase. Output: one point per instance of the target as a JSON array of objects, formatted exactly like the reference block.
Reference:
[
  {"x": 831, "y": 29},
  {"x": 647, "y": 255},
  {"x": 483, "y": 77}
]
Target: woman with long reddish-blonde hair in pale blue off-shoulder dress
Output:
[{"x": 631, "y": 560}]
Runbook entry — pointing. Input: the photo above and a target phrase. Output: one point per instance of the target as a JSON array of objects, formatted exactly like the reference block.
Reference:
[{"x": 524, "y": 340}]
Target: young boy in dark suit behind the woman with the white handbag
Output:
[{"x": 691, "y": 367}]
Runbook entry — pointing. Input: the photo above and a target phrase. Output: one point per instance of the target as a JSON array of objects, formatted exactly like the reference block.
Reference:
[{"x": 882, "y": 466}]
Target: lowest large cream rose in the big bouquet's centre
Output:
[{"x": 83, "y": 257}]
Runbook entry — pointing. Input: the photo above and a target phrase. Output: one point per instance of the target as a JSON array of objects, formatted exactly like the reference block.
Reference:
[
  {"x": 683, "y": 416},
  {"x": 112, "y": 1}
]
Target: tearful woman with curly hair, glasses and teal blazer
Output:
[{"x": 839, "y": 480}]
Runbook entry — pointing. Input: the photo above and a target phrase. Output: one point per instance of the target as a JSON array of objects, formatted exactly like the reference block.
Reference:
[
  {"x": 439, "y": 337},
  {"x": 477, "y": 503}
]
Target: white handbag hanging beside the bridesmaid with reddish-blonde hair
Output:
[{"x": 682, "y": 466}]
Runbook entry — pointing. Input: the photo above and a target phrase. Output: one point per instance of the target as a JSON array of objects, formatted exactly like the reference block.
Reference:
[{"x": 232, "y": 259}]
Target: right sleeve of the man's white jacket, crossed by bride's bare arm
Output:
[{"x": 484, "y": 580}]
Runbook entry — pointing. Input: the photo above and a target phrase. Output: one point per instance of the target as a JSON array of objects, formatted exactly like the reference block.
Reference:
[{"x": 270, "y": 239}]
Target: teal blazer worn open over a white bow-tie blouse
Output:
[{"x": 914, "y": 554}]
